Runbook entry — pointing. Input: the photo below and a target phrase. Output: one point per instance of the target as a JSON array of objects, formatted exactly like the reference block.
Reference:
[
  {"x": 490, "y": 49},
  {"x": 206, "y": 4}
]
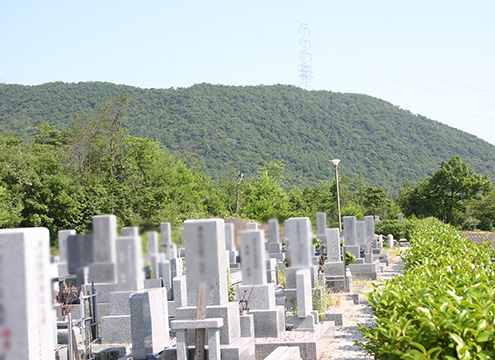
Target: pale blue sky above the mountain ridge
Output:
[{"x": 435, "y": 58}]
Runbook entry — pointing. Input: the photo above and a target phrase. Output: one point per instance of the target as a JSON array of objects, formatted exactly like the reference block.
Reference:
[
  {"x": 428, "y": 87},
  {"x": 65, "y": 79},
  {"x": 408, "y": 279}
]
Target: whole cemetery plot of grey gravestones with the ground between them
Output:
[{"x": 225, "y": 293}]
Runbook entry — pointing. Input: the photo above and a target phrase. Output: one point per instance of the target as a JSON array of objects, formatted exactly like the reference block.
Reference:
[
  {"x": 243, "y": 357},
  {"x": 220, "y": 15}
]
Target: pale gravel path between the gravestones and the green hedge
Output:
[{"x": 343, "y": 345}]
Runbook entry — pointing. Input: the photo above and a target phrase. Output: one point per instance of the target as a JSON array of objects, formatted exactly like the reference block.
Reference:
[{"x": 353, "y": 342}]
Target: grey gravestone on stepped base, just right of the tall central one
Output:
[{"x": 256, "y": 296}]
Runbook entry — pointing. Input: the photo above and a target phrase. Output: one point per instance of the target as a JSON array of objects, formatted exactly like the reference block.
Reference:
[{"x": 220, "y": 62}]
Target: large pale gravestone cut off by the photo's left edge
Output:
[{"x": 26, "y": 306}]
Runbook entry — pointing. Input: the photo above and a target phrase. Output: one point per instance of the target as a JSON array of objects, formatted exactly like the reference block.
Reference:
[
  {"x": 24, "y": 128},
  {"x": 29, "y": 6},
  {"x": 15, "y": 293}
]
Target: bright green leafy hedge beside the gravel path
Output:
[{"x": 443, "y": 306}]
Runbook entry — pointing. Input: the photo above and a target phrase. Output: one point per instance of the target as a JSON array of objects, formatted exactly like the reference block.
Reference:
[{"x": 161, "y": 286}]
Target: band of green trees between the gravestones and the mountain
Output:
[{"x": 60, "y": 179}]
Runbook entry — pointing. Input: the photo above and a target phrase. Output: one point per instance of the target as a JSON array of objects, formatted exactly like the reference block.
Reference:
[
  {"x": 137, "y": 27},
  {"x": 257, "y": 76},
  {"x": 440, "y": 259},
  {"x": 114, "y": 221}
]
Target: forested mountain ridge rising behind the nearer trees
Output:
[{"x": 247, "y": 127}]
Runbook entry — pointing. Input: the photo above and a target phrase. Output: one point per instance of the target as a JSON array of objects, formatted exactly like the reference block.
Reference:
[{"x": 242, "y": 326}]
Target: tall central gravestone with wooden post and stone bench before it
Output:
[{"x": 204, "y": 243}]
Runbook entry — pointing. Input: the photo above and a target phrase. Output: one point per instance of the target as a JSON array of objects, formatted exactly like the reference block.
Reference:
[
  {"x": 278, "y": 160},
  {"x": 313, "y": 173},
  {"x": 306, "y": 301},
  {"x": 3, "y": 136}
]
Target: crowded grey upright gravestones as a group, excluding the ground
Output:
[{"x": 136, "y": 310}]
